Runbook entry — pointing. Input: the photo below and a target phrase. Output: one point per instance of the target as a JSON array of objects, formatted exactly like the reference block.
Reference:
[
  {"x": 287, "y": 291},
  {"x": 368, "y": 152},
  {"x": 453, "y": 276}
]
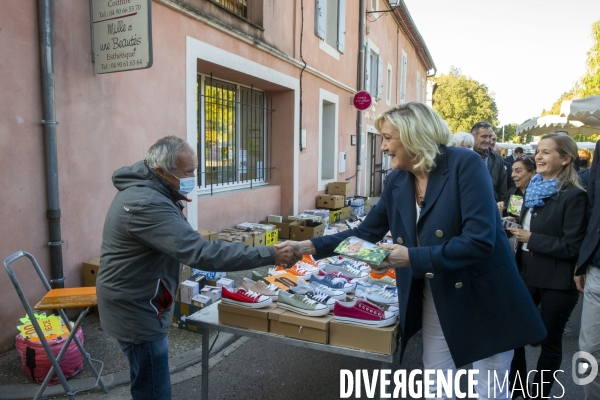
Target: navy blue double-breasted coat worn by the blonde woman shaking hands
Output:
[{"x": 483, "y": 306}]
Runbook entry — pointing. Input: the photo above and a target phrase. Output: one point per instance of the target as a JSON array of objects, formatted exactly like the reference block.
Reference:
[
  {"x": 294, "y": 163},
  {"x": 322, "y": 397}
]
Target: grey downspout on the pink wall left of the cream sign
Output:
[{"x": 50, "y": 148}]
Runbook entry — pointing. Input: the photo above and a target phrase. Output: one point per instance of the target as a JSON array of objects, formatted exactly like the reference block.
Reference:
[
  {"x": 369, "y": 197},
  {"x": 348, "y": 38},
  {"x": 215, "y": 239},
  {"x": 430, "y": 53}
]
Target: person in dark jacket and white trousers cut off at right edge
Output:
[{"x": 587, "y": 280}]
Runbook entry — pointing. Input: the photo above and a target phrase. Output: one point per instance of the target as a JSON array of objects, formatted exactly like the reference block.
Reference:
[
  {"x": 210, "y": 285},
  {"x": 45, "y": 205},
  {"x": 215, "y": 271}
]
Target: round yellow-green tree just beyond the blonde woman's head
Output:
[{"x": 462, "y": 101}]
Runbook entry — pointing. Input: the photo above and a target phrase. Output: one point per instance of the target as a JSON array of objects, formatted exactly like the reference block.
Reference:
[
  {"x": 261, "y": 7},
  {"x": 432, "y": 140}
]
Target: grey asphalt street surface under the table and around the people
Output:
[{"x": 248, "y": 369}]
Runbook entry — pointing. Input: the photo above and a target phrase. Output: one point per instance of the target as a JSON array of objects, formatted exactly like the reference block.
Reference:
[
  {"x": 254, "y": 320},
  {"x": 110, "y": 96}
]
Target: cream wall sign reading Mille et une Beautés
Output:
[{"x": 121, "y": 35}]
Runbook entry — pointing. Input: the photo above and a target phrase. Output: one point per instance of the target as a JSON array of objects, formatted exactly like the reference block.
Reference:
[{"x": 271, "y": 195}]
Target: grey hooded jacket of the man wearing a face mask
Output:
[{"x": 146, "y": 240}]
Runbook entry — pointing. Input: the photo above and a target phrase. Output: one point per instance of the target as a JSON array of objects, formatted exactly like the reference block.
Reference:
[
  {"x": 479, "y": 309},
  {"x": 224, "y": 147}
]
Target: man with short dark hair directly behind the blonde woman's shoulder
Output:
[{"x": 482, "y": 133}]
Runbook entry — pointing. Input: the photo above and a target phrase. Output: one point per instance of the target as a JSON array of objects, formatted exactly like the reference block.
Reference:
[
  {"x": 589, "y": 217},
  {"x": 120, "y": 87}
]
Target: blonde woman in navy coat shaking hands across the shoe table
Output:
[{"x": 454, "y": 270}]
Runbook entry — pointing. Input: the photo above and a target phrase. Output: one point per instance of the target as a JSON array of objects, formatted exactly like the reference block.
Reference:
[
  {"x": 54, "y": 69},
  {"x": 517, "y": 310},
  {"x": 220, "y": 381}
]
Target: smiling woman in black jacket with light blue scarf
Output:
[{"x": 554, "y": 220}]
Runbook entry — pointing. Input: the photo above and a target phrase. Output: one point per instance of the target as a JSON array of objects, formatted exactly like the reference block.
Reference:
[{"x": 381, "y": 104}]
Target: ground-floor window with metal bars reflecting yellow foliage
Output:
[{"x": 233, "y": 147}]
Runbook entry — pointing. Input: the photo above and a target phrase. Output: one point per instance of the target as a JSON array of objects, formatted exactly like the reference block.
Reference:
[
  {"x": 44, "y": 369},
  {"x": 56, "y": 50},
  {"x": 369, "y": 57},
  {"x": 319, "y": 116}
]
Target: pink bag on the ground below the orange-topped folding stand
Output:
[{"x": 35, "y": 362}]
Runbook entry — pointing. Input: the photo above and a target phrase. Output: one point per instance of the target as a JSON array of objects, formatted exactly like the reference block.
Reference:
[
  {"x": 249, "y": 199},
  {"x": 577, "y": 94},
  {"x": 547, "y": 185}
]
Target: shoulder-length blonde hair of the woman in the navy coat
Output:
[{"x": 422, "y": 131}]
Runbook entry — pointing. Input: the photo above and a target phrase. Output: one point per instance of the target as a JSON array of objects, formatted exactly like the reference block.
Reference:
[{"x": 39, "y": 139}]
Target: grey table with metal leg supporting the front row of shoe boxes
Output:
[{"x": 208, "y": 318}]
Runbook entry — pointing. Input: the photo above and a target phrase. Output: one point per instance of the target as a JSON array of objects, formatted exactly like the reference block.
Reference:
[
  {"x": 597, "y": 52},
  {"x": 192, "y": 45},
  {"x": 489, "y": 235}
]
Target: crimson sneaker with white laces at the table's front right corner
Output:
[{"x": 363, "y": 312}]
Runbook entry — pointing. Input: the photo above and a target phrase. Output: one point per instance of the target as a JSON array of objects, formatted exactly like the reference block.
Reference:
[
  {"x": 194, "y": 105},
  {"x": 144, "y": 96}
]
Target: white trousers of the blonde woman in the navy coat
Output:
[{"x": 436, "y": 355}]
